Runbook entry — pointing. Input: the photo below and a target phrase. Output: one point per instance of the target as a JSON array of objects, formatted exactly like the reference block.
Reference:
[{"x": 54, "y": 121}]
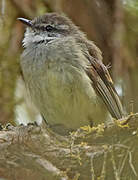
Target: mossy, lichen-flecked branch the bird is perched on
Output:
[{"x": 104, "y": 152}]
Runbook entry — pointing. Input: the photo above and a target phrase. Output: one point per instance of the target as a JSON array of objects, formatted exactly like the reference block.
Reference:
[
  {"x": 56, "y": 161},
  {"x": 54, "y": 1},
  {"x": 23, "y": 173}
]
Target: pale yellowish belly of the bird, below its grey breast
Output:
[{"x": 66, "y": 99}]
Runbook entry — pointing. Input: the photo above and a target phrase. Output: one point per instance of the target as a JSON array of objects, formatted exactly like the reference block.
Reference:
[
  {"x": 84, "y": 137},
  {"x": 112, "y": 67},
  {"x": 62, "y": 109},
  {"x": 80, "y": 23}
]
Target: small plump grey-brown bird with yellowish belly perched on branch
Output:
[{"x": 65, "y": 76}]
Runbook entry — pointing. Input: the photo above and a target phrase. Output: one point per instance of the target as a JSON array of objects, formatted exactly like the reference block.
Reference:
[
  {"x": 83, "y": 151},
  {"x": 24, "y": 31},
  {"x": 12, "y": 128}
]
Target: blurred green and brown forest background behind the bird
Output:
[{"x": 111, "y": 24}]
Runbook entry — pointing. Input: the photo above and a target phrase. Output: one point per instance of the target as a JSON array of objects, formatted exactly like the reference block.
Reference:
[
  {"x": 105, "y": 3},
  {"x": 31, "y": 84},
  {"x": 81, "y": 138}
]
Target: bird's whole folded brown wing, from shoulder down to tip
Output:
[{"x": 101, "y": 80}]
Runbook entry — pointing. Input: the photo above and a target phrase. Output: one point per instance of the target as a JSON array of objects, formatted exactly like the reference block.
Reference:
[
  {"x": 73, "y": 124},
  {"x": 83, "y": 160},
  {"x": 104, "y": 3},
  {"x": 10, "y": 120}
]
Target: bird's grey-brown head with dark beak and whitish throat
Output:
[{"x": 48, "y": 27}]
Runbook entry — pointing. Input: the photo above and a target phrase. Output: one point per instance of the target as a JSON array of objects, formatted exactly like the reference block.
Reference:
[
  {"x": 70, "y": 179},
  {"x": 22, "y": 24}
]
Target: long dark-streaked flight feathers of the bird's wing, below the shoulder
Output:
[{"x": 103, "y": 86}]
